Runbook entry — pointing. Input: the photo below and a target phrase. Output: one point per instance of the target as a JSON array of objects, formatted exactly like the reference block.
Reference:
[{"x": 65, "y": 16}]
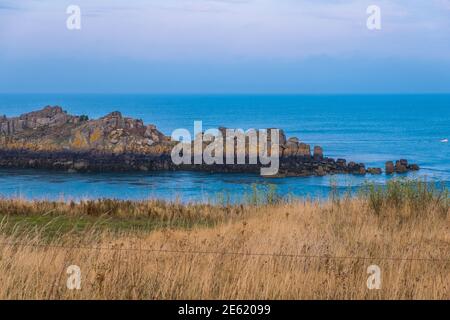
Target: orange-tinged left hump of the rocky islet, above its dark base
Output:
[{"x": 52, "y": 129}]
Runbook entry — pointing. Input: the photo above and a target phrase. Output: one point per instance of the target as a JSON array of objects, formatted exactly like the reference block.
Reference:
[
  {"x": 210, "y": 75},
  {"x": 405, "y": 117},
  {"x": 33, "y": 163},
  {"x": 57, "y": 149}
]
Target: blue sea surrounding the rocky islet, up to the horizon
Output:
[{"x": 362, "y": 128}]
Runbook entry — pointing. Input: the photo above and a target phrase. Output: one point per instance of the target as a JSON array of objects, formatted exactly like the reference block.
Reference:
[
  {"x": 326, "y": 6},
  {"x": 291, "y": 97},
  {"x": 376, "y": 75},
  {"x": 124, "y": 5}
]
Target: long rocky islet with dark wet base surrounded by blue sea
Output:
[{"x": 52, "y": 139}]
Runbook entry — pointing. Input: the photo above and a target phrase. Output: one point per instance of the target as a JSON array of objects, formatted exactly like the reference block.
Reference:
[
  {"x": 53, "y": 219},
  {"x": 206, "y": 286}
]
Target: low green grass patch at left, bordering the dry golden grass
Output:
[{"x": 53, "y": 218}]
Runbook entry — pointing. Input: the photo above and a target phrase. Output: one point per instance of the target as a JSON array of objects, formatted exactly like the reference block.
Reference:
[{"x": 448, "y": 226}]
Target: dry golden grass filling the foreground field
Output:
[{"x": 315, "y": 249}]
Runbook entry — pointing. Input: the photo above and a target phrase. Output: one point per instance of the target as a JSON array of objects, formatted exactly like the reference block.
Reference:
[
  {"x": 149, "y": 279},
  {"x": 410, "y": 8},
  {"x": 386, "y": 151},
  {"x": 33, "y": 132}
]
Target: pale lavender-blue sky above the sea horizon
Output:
[{"x": 225, "y": 46}]
